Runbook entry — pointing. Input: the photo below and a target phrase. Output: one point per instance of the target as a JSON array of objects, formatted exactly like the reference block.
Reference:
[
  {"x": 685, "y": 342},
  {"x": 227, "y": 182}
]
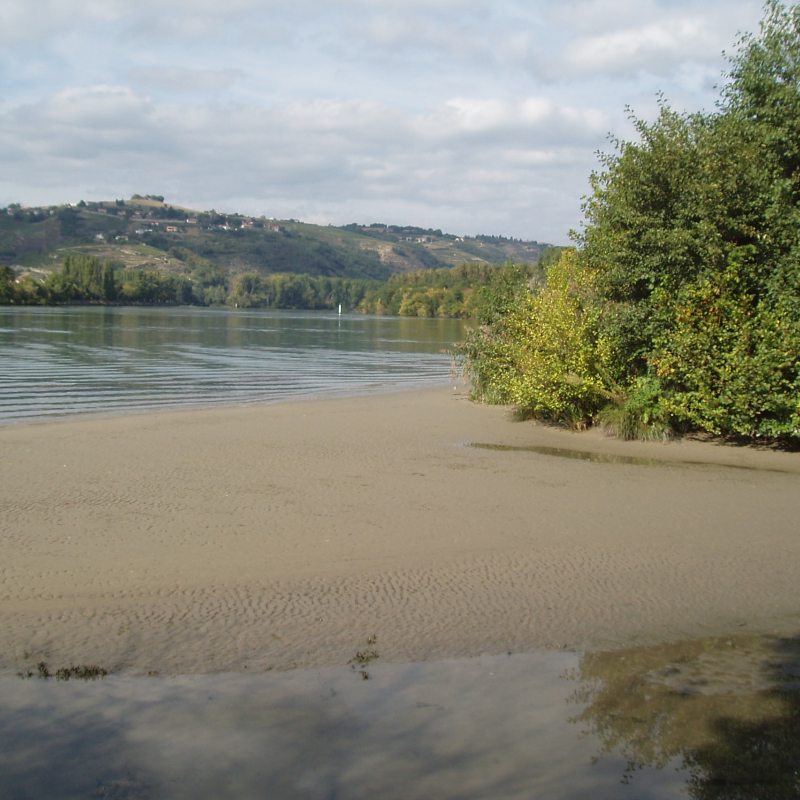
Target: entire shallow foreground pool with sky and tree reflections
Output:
[{"x": 708, "y": 719}]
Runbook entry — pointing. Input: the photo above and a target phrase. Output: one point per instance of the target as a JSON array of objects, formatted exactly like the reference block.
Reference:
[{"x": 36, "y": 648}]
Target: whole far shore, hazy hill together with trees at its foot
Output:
[{"x": 144, "y": 250}]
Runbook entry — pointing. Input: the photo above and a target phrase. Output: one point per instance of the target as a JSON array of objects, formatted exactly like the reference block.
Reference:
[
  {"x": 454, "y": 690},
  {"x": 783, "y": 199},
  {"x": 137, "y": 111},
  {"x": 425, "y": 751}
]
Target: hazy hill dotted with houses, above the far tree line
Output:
[{"x": 147, "y": 233}]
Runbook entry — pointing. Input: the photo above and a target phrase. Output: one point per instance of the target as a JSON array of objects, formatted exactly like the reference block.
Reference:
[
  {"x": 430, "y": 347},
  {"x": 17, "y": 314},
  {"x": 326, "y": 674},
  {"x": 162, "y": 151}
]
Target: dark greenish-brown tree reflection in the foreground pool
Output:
[{"x": 728, "y": 709}]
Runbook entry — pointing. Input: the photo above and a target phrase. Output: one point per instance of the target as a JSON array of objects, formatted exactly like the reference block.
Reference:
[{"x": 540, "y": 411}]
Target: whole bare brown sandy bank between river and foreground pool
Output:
[{"x": 284, "y": 535}]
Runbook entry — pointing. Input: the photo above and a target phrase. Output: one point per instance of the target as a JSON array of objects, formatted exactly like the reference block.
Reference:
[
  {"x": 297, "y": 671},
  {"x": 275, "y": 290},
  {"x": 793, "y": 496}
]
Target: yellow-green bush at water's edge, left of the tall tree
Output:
[{"x": 538, "y": 347}]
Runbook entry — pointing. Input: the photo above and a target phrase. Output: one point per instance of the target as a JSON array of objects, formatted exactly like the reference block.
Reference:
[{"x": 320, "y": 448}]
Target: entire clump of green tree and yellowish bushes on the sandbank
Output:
[{"x": 679, "y": 308}]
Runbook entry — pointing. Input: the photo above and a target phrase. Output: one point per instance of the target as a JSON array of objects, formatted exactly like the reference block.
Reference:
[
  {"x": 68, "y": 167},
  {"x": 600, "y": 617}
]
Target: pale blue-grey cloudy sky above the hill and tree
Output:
[{"x": 466, "y": 115}]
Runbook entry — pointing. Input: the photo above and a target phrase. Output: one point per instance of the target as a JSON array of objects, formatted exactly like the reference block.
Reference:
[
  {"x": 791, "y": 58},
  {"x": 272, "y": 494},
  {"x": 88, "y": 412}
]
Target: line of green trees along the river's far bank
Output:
[{"x": 445, "y": 292}]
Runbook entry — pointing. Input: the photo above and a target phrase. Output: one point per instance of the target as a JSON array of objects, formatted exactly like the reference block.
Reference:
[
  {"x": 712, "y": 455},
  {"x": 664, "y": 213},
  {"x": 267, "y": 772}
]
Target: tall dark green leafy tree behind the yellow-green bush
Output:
[{"x": 694, "y": 233}]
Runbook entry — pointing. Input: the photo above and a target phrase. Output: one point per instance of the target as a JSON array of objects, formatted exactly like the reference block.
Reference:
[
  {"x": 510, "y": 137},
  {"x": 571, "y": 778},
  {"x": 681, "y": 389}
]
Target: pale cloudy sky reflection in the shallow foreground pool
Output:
[{"x": 478, "y": 728}]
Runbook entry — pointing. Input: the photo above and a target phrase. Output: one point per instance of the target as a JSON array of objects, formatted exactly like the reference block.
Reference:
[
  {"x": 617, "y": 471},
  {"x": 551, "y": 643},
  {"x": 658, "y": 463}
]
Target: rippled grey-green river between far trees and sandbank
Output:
[{"x": 72, "y": 360}]
